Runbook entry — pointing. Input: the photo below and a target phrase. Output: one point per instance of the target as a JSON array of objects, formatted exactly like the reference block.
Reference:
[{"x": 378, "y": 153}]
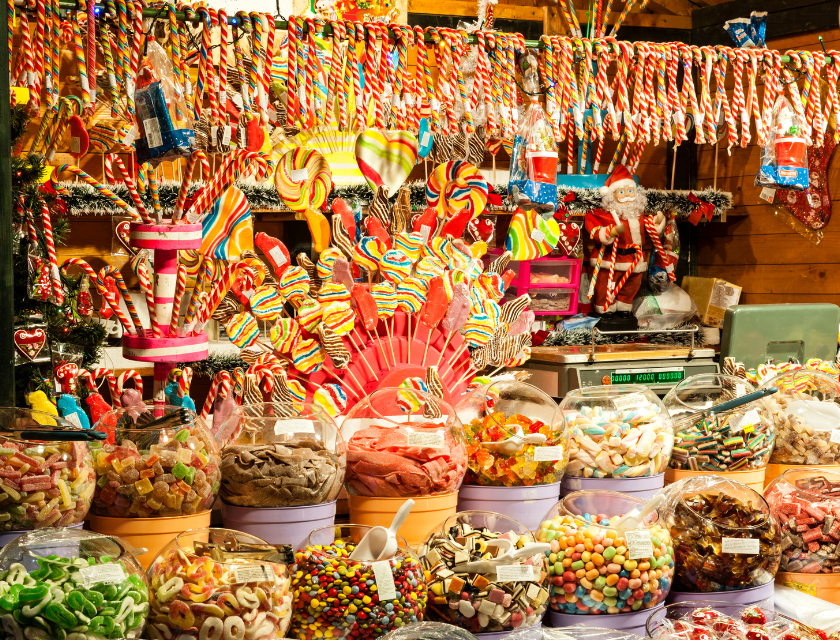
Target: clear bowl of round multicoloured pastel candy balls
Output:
[{"x": 599, "y": 569}]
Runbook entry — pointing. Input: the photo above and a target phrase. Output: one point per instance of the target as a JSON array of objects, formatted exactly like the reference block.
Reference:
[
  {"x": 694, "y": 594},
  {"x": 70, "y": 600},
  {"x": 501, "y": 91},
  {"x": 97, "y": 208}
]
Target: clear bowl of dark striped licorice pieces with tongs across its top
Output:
[{"x": 732, "y": 443}]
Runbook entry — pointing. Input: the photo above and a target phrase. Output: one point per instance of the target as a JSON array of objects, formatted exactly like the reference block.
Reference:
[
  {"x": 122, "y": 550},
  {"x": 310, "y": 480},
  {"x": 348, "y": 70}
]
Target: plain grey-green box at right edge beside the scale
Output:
[{"x": 756, "y": 333}]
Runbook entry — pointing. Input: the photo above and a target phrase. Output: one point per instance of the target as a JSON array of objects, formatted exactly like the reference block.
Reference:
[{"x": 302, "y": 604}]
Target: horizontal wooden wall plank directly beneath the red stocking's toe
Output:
[{"x": 778, "y": 249}]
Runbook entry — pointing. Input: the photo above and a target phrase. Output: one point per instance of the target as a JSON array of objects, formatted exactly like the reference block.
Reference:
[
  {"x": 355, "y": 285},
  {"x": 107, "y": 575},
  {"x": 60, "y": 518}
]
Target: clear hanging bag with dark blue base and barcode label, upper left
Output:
[{"x": 164, "y": 118}]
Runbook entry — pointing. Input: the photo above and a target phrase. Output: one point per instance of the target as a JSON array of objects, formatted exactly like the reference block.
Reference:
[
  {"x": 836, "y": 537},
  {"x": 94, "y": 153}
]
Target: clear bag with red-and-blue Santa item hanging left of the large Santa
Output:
[{"x": 533, "y": 176}]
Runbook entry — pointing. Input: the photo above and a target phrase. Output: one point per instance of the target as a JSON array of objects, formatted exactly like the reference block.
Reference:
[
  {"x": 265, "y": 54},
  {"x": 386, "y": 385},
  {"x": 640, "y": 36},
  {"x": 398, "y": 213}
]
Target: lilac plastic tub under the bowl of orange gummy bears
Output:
[{"x": 524, "y": 504}]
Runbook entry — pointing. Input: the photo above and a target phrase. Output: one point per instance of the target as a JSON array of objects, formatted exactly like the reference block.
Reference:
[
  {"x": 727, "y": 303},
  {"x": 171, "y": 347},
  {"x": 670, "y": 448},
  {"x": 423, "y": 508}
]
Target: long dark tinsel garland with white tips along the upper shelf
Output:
[{"x": 85, "y": 200}]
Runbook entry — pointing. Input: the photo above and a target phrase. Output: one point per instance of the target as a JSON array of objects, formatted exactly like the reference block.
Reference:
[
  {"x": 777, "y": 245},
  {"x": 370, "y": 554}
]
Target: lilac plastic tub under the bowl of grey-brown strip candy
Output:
[{"x": 279, "y": 525}]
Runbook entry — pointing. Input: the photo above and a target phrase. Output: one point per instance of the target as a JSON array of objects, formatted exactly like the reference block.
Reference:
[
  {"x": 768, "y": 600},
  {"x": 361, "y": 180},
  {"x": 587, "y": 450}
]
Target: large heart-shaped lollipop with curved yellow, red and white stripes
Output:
[{"x": 385, "y": 158}]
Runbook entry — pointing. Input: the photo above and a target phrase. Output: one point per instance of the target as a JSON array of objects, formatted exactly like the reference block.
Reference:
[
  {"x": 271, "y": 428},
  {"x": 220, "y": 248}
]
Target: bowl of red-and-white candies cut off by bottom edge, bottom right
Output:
[{"x": 719, "y": 619}]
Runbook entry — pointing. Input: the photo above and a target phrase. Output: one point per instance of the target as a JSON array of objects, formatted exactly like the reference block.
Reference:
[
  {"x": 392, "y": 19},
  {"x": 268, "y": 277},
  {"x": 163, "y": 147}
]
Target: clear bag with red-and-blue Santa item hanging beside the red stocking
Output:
[{"x": 784, "y": 160}]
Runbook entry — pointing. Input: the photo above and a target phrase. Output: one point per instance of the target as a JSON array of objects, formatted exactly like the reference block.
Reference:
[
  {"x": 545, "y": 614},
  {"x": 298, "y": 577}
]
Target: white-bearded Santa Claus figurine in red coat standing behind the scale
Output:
[{"x": 617, "y": 261}]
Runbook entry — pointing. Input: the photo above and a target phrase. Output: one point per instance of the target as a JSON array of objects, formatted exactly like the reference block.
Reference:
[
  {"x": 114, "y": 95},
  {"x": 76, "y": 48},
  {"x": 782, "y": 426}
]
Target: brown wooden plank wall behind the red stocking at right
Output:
[{"x": 754, "y": 248}]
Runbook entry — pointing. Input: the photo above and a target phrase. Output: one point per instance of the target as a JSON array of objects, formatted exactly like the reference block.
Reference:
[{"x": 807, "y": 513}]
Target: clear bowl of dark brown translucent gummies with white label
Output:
[{"x": 725, "y": 540}]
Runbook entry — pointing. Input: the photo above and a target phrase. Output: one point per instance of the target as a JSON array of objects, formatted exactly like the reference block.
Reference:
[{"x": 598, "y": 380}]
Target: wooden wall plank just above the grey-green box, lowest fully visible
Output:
[{"x": 778, "y": 279}]
